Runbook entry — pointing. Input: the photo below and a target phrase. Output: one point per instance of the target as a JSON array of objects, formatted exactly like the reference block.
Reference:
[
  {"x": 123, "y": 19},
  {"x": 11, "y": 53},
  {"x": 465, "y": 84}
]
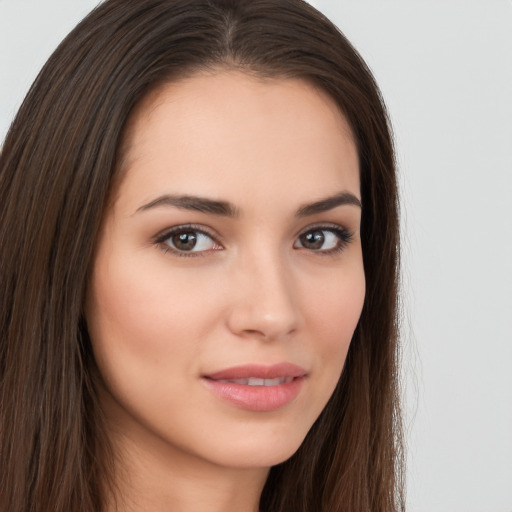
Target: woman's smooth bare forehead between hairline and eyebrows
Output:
[{"x": 225, "y": 133}]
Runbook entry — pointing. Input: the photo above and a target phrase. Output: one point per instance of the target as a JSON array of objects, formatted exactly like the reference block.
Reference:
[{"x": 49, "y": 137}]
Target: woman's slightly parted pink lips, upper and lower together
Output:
[{"x": 257, "y": 387}]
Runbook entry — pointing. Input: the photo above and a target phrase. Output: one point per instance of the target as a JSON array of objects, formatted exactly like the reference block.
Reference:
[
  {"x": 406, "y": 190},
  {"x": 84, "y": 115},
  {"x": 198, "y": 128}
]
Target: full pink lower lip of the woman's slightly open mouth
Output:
[{"x": 257, "y": 398}]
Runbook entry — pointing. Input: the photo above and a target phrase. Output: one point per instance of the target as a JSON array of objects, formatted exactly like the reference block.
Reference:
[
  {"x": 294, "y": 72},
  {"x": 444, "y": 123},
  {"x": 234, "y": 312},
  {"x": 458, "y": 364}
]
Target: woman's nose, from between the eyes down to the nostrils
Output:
[{"x": 264, "y": 301}]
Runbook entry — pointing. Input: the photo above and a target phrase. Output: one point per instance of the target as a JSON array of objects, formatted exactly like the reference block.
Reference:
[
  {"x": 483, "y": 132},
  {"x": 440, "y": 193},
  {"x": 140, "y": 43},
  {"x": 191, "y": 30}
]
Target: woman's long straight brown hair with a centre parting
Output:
[{"x": 57, "y": 168}]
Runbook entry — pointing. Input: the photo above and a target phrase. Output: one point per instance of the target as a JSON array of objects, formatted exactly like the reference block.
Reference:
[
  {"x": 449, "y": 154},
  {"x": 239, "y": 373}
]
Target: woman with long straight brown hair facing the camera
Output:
[{"x": 199, "y": 268}]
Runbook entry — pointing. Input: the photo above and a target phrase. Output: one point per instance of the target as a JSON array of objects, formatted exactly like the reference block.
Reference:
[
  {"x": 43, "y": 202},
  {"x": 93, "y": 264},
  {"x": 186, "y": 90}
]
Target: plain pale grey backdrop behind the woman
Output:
[{"x": 445, "y": 70}]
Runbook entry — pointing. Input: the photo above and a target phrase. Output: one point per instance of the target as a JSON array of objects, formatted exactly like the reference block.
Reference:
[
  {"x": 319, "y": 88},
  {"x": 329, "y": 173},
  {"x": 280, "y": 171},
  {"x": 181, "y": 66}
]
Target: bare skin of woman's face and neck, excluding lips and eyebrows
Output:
[{"x": 253, "y": 290}]
